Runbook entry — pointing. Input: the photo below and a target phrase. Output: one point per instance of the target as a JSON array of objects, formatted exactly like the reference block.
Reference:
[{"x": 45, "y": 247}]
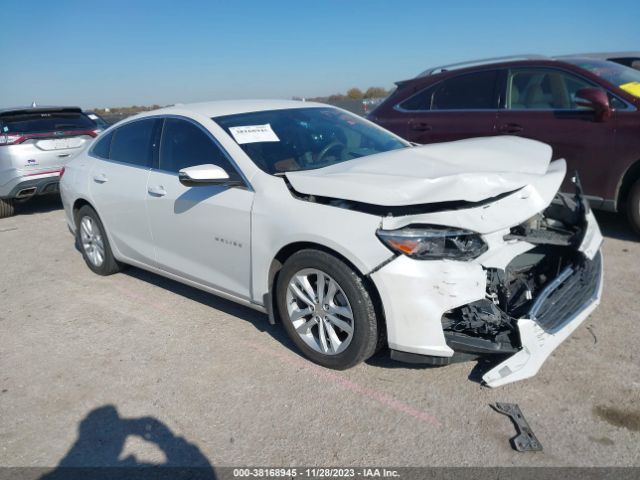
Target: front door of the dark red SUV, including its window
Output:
[{"x": 540, "y": 104}]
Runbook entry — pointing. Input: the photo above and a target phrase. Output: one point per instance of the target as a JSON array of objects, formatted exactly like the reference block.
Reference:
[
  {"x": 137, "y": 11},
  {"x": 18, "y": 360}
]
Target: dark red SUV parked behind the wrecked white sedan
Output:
[{"x": 586, "y": 109}]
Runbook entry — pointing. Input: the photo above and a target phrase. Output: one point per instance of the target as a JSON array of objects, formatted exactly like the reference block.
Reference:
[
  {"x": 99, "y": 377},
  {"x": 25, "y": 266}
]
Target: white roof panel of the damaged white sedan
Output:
[{"x": 232, "y": 107}]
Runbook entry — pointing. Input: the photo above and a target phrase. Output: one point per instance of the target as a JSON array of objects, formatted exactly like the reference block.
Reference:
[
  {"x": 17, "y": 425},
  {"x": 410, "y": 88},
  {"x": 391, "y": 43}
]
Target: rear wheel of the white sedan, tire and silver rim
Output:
[{"x": 94, "y": 244}]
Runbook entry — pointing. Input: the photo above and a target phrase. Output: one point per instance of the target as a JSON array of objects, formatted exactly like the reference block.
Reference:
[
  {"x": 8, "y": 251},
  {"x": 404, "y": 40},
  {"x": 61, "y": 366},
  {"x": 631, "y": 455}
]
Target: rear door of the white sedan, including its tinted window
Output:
[{"x": 118, "y": 185}]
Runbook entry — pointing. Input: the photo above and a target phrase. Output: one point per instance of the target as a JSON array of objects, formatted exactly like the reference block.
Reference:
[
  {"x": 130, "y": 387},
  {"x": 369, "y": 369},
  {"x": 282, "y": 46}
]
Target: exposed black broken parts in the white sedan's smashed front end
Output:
[{"x": 489, "y": 326}]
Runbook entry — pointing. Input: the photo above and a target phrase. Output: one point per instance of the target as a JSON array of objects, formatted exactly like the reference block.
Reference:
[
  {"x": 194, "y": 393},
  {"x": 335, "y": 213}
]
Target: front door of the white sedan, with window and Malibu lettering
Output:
[{"x": 200, "y": 233}]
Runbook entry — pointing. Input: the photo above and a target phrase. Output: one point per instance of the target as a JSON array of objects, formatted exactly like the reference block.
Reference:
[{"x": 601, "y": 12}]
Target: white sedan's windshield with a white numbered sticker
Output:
[{"x": 305, "y": 138}]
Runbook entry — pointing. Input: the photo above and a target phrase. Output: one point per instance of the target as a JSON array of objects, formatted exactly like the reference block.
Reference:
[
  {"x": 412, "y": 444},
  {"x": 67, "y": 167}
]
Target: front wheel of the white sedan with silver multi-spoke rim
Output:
[{"x": 326, "y": 310}]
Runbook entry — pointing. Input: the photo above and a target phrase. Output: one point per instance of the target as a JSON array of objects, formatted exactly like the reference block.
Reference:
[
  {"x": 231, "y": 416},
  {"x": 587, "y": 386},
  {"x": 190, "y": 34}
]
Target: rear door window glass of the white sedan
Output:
[{"x": 133, "y": 143}]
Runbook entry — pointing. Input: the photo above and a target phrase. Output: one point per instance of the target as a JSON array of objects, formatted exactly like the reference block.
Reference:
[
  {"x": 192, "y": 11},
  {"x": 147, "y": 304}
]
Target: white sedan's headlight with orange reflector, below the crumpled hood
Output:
[{"x": 434, "y": 242}]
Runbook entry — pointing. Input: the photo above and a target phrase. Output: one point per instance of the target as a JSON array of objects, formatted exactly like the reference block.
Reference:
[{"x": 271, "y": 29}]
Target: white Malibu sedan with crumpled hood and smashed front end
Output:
[{"x": 352, "y": 238}]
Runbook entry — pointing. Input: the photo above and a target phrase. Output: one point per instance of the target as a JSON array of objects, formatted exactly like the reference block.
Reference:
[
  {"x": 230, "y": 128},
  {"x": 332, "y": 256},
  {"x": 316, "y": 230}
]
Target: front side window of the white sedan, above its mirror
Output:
[{"x": 185, "y": 145}]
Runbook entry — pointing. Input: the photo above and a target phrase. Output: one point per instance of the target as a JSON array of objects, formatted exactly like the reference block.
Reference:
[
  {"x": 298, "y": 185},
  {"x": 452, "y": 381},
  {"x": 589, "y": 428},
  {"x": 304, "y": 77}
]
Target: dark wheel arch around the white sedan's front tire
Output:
[{"x": 288, "y": 250}]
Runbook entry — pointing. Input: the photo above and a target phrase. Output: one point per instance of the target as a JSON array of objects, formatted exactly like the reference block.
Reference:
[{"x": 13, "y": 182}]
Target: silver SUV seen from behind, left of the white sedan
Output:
[{"x": 35, "y": 143}]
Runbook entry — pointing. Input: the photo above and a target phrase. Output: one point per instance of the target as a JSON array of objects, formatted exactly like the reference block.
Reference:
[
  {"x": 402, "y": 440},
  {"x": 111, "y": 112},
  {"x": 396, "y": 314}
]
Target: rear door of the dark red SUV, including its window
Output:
[{"x": 458, "y": 107}]
